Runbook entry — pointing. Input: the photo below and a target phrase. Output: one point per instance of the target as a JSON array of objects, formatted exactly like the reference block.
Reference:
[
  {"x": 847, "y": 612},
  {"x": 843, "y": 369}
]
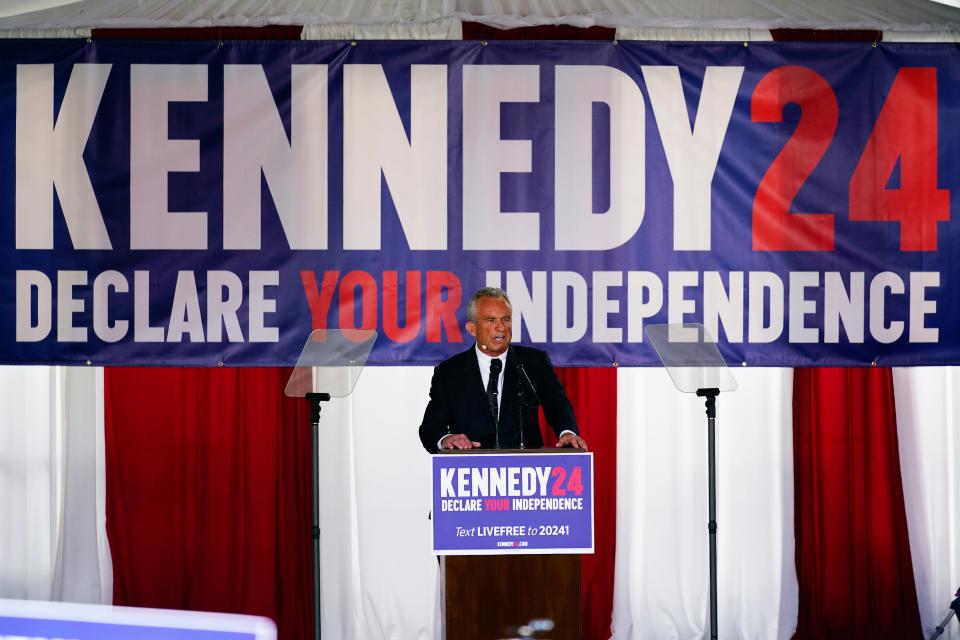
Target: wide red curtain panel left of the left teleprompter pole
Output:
[{"x": 208, "y": 493}]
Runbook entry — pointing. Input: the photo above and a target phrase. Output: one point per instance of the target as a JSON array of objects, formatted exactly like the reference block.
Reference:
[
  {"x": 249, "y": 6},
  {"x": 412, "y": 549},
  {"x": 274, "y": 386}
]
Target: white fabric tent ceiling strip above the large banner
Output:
[{"x": 888, "y": 15}]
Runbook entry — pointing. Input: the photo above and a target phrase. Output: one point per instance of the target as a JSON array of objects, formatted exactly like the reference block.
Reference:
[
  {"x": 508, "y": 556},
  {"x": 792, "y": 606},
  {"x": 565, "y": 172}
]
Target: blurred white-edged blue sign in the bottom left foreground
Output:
[{"x": 68, "y": 621}]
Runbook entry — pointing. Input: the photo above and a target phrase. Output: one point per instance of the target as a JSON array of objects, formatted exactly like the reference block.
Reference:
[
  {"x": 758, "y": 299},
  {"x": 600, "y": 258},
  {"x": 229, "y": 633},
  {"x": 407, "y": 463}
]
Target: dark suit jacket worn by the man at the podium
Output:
[{"x": 458, "y": 401}]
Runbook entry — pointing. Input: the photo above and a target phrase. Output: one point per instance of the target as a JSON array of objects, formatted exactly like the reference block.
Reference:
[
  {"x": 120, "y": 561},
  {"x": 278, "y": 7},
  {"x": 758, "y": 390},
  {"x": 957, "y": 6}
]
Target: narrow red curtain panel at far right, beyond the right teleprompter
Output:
[{"x": 853, "y": 555}]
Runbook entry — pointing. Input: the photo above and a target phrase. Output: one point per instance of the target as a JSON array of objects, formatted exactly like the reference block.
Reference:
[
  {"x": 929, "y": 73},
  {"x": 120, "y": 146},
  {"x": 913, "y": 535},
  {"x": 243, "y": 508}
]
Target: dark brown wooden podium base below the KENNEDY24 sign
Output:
[{"x": 488, "y": 597}]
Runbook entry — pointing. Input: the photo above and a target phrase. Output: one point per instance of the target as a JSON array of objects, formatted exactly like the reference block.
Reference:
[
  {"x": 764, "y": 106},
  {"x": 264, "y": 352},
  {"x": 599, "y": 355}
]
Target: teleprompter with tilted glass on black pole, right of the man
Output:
[{"x": 691, "y": 357}]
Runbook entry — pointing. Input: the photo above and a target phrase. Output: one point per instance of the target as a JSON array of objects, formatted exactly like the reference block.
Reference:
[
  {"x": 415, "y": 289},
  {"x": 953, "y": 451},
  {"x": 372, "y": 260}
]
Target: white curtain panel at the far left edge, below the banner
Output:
[{"x": 53, "y": 543}]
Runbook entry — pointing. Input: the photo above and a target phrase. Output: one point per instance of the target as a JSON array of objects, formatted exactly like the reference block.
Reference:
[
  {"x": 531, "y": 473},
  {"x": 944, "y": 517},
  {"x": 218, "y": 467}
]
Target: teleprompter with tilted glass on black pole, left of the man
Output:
[{"x": 328, "y": 367}]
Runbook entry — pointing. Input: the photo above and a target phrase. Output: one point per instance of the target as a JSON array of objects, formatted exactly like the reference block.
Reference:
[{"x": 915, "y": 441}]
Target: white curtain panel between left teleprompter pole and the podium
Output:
[{"x": 379, "y": 577}]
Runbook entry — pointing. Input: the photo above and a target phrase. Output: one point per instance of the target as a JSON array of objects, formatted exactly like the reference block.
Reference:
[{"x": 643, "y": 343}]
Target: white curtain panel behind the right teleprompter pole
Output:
[{"x": 662, "y": 567}]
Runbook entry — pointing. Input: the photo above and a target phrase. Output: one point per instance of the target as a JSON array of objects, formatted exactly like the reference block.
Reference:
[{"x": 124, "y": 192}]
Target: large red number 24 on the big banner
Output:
[{"x": 905, "y": 131}]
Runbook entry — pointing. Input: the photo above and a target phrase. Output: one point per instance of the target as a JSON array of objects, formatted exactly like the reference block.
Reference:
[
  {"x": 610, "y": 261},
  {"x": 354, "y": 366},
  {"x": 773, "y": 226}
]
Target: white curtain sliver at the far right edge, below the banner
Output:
[{"x": 928, "y": 429}]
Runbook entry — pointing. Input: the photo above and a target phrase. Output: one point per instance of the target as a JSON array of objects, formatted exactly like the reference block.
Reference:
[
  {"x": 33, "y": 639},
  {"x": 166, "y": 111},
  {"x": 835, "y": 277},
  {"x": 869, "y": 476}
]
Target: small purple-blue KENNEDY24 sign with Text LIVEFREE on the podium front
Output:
[{"x": 496, "y": 503}]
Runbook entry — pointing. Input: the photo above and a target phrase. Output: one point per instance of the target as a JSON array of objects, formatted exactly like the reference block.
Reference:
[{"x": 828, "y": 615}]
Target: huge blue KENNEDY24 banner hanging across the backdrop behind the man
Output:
[{"x": 191, "y": 203}]
